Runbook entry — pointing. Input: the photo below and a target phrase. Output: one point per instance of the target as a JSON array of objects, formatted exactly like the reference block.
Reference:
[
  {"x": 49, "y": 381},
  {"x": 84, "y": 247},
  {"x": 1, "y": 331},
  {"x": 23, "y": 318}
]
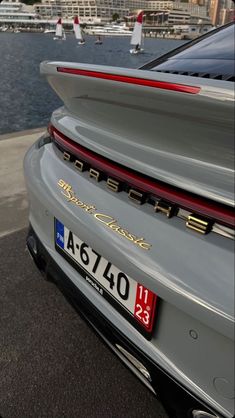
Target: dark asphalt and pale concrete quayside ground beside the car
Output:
[{"x": 51, "y": 363}]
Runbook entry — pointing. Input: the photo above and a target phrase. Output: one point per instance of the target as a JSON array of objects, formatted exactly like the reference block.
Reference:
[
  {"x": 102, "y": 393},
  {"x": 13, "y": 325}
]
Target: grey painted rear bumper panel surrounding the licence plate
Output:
[{"x": 191, "y": 273}]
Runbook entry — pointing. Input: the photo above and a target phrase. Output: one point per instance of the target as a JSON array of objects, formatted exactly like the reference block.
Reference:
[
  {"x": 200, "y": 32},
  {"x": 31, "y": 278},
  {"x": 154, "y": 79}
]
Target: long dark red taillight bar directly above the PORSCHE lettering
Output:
[{"x": 185, "y": 200}]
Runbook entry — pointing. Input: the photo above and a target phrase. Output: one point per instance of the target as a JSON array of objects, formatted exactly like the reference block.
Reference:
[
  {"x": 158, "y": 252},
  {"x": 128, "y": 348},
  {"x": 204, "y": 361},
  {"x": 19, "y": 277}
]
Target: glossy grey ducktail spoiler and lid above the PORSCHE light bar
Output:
[{"x": 191, "y": 156}]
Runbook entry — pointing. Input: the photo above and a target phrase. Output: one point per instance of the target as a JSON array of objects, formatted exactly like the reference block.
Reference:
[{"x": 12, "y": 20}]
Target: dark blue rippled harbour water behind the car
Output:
[{"x": 26, "y": 99}]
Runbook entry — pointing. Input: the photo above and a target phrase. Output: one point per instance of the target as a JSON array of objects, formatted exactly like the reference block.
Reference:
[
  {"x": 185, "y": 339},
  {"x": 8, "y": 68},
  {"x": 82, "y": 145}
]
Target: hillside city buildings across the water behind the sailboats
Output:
[{"x": 157, "y": 13}]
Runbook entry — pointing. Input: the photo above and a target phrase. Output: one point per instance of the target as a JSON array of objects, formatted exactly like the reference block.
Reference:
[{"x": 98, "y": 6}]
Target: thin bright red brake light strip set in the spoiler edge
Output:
[{"x": 132, "y": 80}]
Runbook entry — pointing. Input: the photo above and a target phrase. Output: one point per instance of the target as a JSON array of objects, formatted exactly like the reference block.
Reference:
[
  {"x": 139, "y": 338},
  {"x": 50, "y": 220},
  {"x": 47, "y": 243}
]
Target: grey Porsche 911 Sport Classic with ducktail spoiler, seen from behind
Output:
[{"x": 131, "y": 197}]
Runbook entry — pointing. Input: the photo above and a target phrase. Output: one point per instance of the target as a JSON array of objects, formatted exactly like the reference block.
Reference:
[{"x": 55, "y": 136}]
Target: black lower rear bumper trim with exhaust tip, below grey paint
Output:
[{"x": 177, "y": 400}]
